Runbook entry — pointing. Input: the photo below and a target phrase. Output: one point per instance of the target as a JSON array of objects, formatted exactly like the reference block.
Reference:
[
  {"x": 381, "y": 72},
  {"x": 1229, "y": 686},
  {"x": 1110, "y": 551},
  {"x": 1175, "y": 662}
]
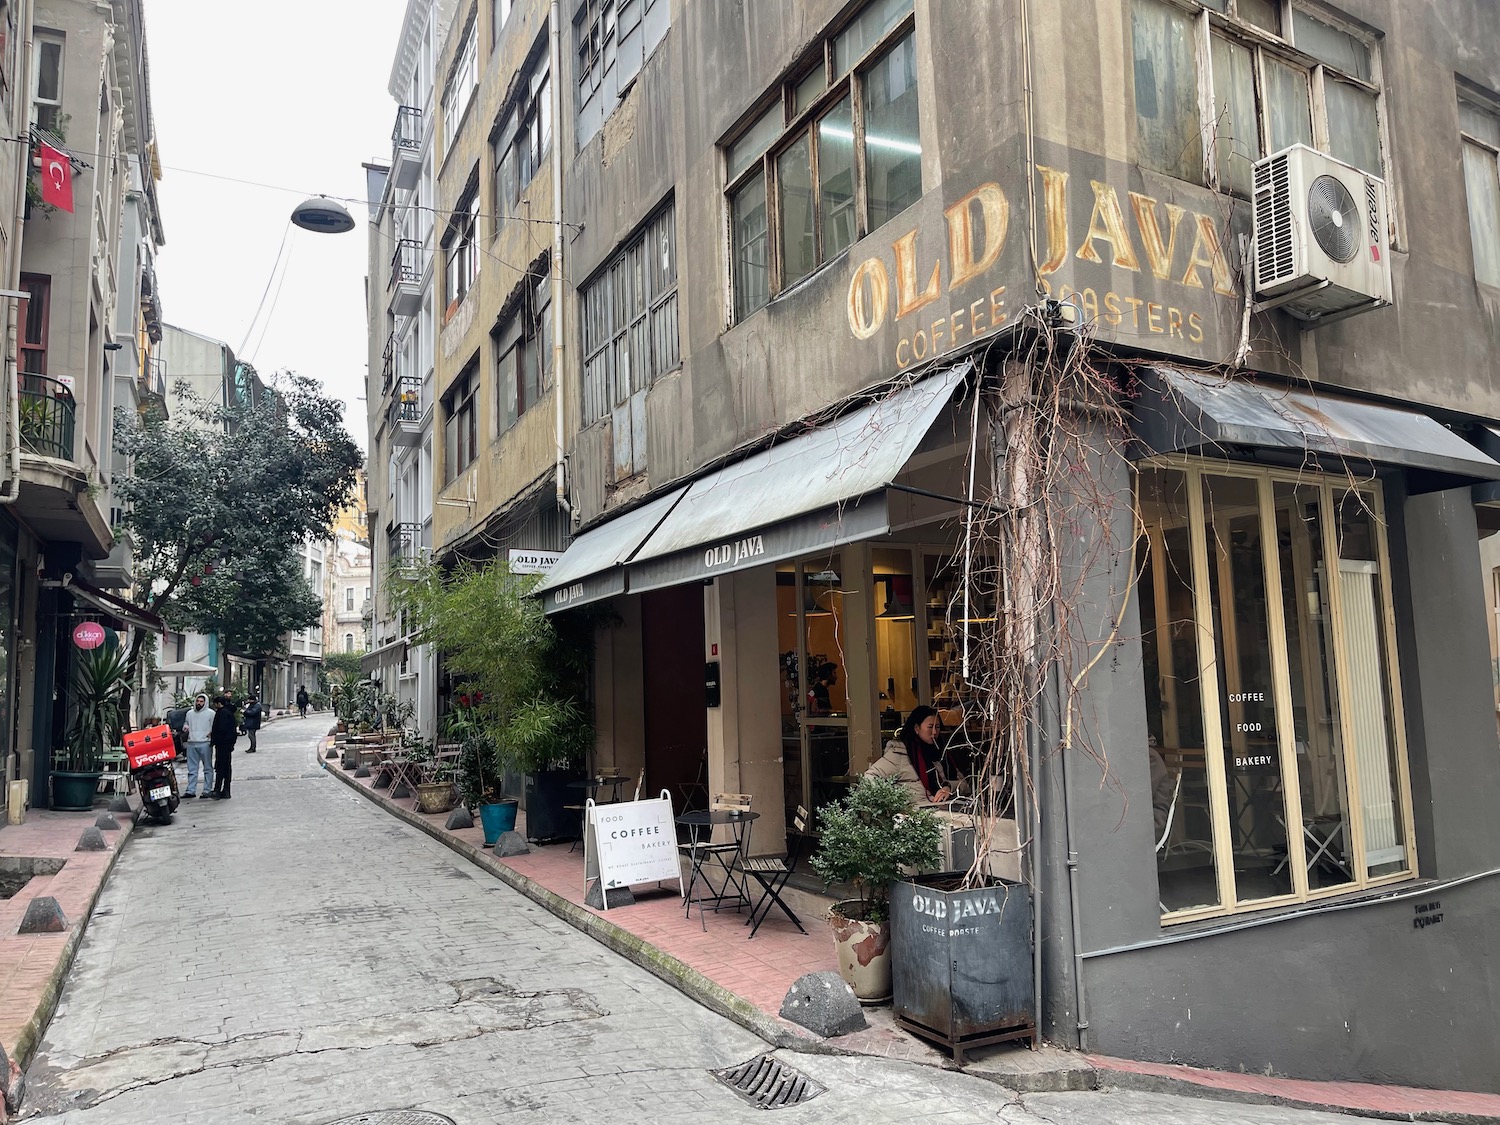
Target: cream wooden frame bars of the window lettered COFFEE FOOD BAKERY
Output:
[{"x": 1331, "y": 488}]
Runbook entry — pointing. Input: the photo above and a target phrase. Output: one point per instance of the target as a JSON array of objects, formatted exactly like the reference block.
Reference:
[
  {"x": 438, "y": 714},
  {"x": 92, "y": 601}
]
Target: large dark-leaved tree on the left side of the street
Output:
[{"x": 226, "y": 494}]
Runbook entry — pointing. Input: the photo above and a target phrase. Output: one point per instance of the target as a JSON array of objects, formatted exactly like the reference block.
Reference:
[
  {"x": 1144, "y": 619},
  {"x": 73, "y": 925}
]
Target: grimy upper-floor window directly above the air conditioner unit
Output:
[{"x": 1273, "y": 76}]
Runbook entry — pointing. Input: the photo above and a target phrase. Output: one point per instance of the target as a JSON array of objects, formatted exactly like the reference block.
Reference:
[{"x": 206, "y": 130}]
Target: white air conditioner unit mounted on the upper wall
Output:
[{"x": 1322, "y": 245}]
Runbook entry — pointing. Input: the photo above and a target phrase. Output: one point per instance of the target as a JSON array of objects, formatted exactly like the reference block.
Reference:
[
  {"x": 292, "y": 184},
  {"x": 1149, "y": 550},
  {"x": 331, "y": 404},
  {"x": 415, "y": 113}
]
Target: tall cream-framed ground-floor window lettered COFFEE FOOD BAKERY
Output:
[{"x": 1271, "y": 694}]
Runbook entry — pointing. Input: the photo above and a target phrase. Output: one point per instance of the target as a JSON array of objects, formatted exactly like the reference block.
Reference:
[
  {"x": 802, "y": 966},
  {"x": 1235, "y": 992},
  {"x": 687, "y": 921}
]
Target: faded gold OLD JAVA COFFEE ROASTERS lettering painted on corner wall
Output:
[{"x": 1178, "y": 247}]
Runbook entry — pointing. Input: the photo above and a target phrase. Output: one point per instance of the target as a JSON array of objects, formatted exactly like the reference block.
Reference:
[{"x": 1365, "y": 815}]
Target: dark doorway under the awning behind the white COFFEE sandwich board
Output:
[{"x": 676, "y": 703}]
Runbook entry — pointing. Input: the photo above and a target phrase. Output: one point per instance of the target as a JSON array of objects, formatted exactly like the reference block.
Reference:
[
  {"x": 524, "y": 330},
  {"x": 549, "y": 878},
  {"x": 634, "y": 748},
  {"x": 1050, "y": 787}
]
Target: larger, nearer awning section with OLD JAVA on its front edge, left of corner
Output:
[{"x": 817, "y": 491}]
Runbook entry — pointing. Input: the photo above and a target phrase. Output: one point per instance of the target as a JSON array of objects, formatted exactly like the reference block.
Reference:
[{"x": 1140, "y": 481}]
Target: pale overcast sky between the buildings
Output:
[{"x": 292, "y": 95}]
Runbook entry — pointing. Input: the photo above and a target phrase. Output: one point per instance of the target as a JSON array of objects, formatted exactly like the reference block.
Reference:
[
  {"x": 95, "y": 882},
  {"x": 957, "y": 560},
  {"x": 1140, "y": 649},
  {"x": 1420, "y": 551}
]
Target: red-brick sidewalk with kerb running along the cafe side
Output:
[{"x": 746, "y": 980}]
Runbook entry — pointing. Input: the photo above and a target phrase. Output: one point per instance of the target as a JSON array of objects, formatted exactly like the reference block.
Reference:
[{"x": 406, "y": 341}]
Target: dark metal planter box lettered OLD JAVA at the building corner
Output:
[{"x": 962, "y": 962}]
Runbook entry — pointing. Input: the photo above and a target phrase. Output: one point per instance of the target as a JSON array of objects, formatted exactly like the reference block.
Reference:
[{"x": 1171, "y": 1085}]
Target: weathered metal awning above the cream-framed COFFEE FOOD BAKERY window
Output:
[{"x": 1183, "y": 412}]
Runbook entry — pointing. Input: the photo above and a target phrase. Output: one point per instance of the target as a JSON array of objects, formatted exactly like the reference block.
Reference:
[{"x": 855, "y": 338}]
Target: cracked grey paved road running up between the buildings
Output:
[{"x": 298, "y": 956}]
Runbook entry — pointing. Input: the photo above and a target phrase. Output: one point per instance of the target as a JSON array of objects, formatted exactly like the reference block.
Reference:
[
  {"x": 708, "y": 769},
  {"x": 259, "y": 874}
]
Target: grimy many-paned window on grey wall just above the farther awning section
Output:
[{"x": 629, "y": 313}]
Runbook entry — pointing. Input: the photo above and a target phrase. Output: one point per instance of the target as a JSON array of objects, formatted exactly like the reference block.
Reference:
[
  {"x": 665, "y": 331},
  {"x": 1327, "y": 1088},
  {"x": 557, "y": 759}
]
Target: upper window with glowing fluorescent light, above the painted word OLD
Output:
[{"x": 854, "y": 103}]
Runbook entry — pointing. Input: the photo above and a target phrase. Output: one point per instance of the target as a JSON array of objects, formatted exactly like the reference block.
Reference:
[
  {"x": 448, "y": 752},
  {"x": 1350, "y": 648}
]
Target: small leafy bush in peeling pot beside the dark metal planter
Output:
[{"x": 866, "y": 839}]
